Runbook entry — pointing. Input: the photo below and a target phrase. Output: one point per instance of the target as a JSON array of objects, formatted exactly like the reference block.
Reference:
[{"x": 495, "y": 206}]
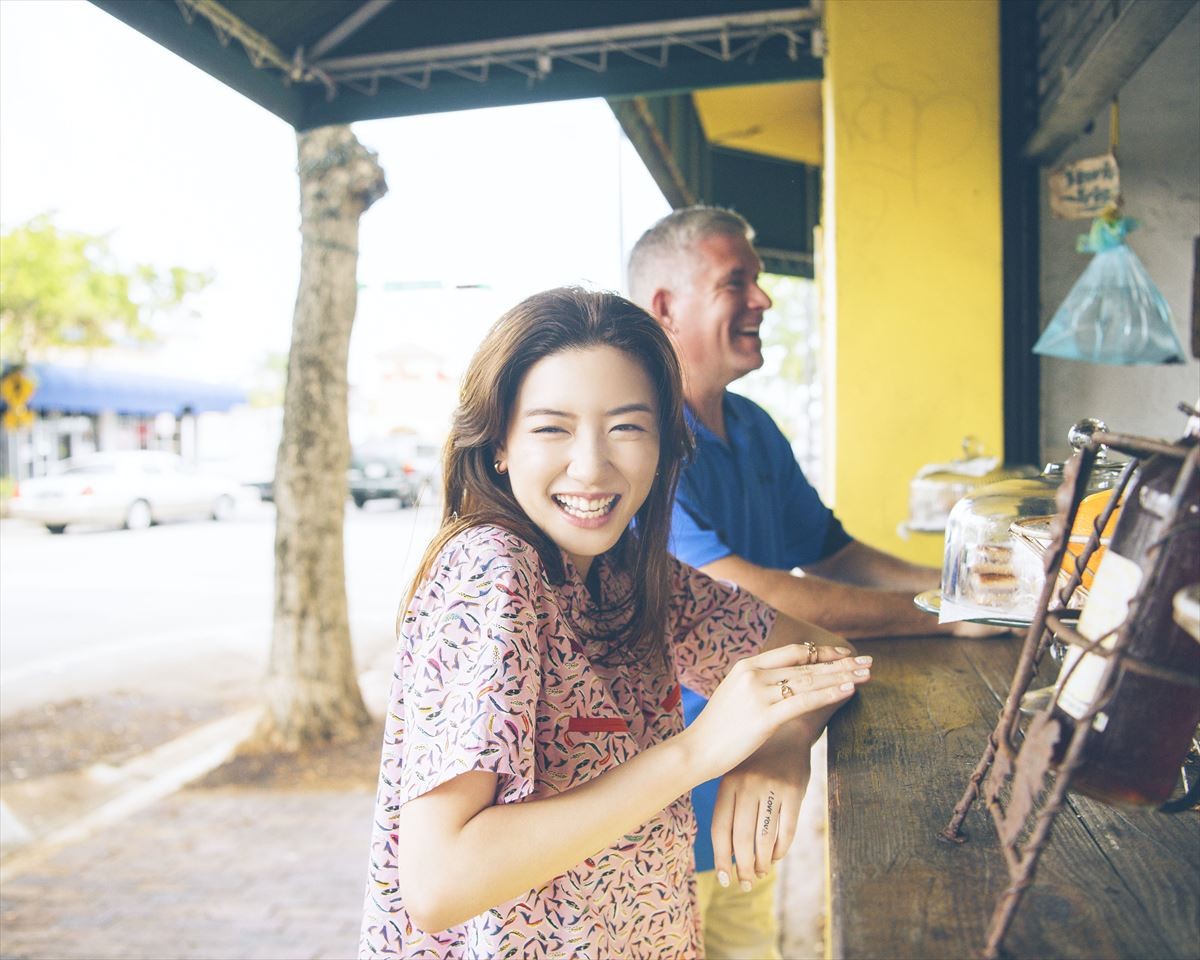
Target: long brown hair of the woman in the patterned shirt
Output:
[{"x": 548, "y": 323}]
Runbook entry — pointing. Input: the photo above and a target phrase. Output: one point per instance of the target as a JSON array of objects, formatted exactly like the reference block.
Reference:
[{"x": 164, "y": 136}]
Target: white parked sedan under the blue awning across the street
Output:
[{"x": 128, "y": 489}]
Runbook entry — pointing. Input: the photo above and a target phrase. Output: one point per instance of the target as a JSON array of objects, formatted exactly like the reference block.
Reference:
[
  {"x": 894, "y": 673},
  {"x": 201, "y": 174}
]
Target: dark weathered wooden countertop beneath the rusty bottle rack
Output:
[{"x": 1111, "y": 884}]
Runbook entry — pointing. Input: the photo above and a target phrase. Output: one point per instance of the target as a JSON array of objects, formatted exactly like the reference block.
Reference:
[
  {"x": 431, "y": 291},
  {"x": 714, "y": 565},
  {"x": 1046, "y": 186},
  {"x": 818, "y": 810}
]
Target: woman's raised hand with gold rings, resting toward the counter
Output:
[{"x": 763, "y": 693}]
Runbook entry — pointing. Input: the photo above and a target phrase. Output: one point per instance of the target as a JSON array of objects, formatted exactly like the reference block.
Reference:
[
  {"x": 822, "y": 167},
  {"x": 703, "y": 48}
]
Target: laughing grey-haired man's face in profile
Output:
[{"x": 716, "y": 316}]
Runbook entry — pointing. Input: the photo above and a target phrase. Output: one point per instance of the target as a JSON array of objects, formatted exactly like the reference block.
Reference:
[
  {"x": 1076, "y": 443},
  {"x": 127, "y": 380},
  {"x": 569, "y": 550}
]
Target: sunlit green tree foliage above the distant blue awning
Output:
[{"x": 61, "y": 289}]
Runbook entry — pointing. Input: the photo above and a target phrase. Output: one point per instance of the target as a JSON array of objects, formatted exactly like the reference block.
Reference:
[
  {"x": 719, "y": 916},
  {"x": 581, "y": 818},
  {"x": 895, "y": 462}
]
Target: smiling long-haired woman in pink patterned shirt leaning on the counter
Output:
[{"x": 536, "y": 775}]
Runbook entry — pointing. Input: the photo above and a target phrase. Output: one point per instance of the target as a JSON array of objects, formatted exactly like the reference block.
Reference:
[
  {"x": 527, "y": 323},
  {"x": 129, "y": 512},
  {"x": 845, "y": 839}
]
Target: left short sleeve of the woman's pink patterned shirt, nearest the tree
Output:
[{"x": 470, "y": 670}]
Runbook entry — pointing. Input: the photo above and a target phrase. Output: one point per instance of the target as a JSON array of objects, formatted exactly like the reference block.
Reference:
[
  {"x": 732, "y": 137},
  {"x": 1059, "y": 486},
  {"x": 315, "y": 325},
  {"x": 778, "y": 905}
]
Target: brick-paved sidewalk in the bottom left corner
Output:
[{"x": 205, "y": 874}]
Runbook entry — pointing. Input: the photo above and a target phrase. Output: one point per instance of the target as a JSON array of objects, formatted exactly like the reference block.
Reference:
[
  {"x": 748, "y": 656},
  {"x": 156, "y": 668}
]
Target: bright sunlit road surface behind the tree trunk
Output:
[{"x": 181, "y": 607}]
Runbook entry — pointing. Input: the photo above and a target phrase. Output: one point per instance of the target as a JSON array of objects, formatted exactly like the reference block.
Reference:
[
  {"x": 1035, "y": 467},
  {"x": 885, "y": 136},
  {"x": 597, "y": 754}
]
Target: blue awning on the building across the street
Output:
[{"x": 94, "y": 391}]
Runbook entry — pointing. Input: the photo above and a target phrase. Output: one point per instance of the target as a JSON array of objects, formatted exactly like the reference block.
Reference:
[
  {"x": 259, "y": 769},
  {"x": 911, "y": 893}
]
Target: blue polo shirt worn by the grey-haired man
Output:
[{"x": 747, "y": 497}]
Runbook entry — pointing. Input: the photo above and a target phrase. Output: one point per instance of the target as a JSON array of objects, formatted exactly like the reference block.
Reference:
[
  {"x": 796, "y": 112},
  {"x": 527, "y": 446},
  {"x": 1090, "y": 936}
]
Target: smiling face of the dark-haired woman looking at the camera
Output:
[{"x": 583, "y": 448}]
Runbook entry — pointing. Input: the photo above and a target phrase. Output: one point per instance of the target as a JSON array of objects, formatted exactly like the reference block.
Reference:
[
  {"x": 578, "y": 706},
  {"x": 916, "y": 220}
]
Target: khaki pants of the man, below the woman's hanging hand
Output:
[{"x": 739, "y": 926}]
